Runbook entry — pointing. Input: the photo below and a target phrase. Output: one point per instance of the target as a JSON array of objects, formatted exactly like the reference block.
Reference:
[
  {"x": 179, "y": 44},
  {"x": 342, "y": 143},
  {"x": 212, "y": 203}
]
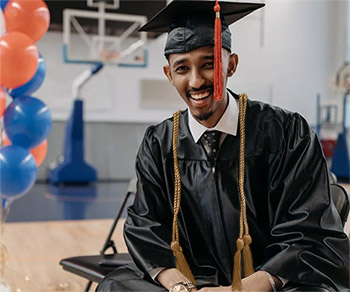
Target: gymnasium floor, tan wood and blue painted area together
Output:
[{"x": 51, "y": 223}]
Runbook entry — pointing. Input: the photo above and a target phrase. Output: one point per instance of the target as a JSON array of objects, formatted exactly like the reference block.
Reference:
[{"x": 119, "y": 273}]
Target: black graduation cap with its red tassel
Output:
[{"x": 192, "y": 24}]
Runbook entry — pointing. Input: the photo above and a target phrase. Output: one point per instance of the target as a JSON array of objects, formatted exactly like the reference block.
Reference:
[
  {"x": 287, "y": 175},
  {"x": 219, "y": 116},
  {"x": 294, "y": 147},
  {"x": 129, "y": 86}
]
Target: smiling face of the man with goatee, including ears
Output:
[{"x": 192, "y": 74}]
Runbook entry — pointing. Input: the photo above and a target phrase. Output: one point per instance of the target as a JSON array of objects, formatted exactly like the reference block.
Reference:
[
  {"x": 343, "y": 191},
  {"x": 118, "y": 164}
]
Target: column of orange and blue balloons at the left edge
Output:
[{"x": 26, "y": 120}]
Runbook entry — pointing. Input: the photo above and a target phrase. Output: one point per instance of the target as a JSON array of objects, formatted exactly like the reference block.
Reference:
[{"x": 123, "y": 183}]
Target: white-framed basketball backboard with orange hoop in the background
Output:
[{"x": 99, "y": 36}]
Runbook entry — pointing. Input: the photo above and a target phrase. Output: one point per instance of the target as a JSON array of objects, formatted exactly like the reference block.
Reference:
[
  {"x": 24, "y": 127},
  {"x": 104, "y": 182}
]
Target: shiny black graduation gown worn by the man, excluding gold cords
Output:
[{"x": 297, "y": 233}]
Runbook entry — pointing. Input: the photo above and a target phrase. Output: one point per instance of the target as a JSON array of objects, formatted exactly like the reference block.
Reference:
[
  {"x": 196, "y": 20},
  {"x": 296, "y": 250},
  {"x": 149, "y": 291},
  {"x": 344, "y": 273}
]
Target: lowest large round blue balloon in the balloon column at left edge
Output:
[{"x": 17, "y": 171}]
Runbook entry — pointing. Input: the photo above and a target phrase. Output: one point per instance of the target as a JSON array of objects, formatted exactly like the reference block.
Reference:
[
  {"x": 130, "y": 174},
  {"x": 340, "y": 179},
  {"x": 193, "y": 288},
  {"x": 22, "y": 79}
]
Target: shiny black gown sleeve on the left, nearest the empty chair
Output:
[{"x": 147, "y": 239}]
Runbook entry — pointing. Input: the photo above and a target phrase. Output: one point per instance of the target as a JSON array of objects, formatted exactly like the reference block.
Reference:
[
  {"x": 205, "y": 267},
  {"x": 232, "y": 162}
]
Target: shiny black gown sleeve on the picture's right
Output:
[{"x": 308, "y": 245}]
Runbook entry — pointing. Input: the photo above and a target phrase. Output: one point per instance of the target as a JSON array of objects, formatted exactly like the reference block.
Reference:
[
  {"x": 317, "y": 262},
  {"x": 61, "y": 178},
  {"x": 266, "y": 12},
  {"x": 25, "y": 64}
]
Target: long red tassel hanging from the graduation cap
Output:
[{"x": 218, "y": 84}]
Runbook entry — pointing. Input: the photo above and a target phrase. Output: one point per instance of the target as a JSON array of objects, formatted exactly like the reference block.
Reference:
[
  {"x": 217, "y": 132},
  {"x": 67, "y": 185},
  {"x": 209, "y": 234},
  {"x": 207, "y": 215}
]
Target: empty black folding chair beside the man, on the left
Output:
[{"x": 95, "y": 267}]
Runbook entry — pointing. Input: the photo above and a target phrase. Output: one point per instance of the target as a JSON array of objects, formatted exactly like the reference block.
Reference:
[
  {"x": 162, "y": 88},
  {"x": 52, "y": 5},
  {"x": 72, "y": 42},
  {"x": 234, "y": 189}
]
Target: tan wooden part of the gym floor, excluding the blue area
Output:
[{"x": 34, "y": 250}]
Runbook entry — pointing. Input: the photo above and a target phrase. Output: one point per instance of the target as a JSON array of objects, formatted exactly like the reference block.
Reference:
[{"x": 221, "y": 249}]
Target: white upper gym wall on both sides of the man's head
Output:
[{"x": 302, "y": 47}]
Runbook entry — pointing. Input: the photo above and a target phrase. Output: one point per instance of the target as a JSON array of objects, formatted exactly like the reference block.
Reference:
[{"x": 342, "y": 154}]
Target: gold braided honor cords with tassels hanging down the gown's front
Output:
[{"x": 244, "y": 239}]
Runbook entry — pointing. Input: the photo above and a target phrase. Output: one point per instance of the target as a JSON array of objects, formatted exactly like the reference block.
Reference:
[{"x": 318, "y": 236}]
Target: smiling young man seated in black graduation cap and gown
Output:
[{"x": 225, "y": 177}]
